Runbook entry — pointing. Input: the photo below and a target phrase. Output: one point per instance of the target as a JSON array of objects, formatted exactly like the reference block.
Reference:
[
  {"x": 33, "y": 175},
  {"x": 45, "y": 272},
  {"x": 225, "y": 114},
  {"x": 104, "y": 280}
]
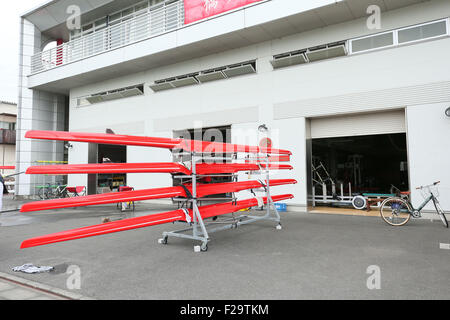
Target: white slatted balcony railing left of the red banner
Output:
[{"x": 144, "y": 26}]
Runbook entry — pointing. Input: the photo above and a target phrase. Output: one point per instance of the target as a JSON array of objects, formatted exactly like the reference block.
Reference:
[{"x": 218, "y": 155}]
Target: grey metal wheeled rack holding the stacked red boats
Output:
[{"x": 199, "y": 230}]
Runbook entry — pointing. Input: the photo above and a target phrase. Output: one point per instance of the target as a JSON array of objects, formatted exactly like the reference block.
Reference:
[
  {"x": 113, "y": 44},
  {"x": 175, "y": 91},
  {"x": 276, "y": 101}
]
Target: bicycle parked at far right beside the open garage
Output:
[{"x": 397, "y": 211}]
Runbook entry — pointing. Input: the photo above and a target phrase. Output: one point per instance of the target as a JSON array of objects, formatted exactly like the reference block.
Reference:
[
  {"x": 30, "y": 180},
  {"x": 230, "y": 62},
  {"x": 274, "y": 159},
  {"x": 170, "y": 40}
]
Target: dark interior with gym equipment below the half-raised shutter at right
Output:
[{"x": 344, "y": 167}]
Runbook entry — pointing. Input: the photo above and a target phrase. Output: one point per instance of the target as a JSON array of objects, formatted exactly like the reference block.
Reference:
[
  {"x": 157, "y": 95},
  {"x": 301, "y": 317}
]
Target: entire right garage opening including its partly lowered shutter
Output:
[{"x": 357, "y": 155}]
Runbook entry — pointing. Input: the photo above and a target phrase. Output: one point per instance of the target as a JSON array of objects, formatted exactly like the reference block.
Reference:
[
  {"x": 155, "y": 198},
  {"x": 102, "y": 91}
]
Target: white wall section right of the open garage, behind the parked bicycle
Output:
[{"x": 429, "y": 150}]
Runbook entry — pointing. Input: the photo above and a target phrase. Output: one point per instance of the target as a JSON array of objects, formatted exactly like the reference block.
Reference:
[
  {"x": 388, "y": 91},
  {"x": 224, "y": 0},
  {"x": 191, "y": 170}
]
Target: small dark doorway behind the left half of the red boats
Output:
[{"x": 111, "y": 154}]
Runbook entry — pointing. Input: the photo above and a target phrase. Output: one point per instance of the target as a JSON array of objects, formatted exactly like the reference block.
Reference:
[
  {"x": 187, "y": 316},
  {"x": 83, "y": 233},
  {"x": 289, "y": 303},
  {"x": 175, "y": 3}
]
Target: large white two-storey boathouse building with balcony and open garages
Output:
[{"x": 365, "y": 97}]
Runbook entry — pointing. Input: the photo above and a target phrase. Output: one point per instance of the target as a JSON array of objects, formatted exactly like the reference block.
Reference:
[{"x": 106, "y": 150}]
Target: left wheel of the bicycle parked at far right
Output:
[{"x": 395, "y": 211}]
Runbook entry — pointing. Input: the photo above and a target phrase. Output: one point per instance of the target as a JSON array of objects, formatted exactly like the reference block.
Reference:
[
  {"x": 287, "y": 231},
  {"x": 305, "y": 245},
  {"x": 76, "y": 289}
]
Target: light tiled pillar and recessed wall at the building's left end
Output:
[{"x": 37, "y": 110}]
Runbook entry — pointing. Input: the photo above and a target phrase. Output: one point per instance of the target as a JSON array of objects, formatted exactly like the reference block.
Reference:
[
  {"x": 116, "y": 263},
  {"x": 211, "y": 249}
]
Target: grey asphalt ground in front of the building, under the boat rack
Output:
[{"x": 314, "y": 256}]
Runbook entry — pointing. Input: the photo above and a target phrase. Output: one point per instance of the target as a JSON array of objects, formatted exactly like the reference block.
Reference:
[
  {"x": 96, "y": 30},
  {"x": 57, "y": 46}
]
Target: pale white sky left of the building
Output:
[{"x": 9, "y": 45}]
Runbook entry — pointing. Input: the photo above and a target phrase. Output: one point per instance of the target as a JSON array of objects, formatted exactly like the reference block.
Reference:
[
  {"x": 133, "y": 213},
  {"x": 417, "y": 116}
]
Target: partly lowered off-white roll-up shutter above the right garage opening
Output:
[{"x": 359, "y": 124}]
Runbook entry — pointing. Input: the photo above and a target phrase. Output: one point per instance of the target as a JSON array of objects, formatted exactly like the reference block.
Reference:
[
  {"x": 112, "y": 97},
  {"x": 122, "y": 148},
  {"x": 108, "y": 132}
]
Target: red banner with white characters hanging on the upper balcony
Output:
[{"x": 195, "y": 10}]
